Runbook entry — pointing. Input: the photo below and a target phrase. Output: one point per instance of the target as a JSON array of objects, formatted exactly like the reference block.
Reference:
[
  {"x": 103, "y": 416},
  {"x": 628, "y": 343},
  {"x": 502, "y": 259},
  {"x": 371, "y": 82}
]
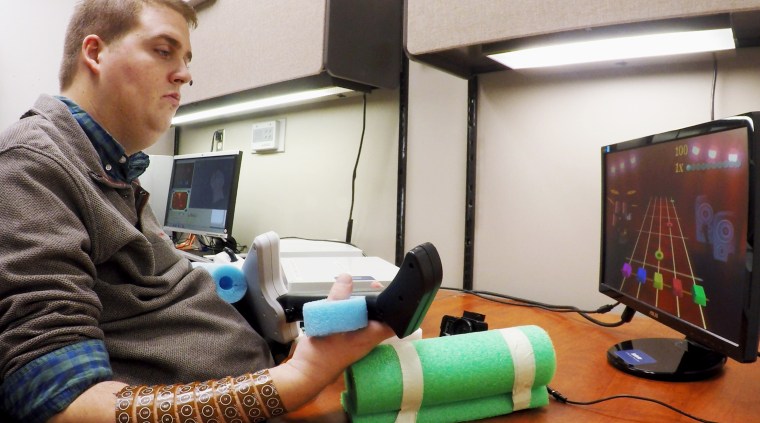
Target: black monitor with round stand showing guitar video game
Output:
[{"x": 679, "y": 220}]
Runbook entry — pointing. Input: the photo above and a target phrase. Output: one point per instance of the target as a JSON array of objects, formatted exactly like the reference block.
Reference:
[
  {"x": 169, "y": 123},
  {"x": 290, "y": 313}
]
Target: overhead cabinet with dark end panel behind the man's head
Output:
[{"x": 242, "y": 47}]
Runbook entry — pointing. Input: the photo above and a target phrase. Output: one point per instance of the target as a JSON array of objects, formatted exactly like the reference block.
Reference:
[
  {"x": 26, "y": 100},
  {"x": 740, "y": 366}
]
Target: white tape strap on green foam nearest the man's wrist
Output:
[{"x": 413, "y": 384}]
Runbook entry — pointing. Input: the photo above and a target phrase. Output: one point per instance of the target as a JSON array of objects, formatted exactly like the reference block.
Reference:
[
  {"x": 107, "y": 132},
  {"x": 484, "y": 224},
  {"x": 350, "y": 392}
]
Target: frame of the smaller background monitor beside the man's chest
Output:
[{"x": 229, "y": 218}]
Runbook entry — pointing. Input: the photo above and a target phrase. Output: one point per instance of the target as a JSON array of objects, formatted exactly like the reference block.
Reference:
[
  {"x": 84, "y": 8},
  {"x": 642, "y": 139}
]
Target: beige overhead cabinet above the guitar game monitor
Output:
[{"x": 456, "y": 35}]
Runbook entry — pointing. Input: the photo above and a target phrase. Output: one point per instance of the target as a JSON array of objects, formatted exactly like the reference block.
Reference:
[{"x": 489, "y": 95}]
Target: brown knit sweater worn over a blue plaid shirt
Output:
[{"x": 83, "y": 257}]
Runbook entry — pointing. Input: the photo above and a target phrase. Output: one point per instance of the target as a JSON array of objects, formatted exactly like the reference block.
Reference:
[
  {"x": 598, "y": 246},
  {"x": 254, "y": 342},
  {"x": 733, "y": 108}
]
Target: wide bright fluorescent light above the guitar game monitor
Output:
[{"x": 618, "y": 49}]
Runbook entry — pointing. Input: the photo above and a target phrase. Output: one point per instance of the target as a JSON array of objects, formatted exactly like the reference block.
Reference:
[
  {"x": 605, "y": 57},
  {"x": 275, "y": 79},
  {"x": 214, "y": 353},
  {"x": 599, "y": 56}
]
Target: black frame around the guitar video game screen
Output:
[{"x": 747, "y": 348}]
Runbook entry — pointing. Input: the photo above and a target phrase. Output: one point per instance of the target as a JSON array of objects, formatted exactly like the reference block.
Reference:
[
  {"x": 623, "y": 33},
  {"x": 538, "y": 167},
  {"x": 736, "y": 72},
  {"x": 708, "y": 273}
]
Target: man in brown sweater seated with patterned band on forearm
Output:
[{"x": 93, "y": 297}]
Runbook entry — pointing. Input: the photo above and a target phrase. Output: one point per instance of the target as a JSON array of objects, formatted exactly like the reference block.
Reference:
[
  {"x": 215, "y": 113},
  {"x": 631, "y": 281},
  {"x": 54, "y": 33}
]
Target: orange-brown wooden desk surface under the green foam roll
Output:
[{"x": 583, "y": 373}]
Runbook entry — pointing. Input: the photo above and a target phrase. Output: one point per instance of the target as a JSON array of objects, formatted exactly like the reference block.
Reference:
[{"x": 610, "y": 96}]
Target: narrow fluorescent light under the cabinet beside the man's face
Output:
[{"x": 258, "y": 104}]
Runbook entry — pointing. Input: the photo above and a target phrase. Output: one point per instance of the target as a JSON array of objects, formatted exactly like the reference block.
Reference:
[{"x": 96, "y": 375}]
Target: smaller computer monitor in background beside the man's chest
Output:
[{"x": 202, "y": 193}]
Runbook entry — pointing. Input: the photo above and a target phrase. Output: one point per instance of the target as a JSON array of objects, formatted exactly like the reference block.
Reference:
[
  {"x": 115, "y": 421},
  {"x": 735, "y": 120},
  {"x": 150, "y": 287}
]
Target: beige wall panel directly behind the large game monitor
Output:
[{"x": 538, "y": 198}]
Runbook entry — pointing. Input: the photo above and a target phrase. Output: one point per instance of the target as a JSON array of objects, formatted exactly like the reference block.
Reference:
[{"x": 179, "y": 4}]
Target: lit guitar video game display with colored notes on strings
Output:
[{"x": 676, "y": 224}]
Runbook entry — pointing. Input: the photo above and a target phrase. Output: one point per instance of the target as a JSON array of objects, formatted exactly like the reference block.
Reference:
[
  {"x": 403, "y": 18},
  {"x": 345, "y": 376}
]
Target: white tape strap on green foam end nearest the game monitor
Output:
[{"x": 524, "y": 361}]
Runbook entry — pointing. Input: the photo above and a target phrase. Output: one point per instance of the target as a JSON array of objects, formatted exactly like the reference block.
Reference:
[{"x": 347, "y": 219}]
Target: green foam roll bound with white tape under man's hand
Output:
[{"x": 461, "y": 377}]
